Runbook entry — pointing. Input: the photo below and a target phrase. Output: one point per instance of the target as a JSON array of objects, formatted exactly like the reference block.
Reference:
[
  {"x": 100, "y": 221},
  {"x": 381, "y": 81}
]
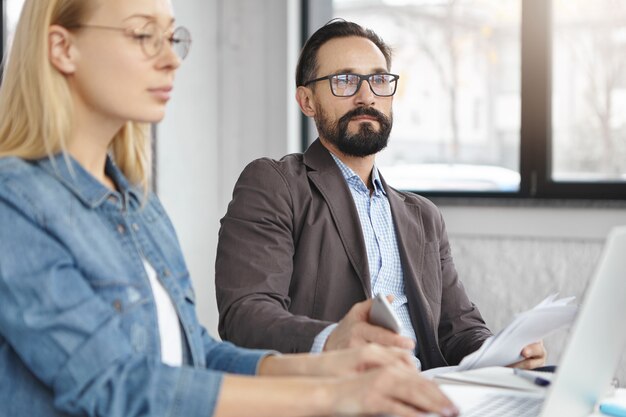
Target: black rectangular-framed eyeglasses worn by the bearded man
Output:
[{"x": 347, "y": 85}]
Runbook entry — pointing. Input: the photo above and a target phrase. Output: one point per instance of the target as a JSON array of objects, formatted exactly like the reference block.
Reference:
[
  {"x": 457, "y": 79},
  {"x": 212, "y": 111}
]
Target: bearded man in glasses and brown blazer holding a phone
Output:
[{"x": 308, "y": 240}]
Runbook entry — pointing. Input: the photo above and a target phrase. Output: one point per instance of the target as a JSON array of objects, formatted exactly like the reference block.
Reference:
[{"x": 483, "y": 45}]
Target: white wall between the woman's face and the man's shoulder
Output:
[{"x": 232, "y": 102}]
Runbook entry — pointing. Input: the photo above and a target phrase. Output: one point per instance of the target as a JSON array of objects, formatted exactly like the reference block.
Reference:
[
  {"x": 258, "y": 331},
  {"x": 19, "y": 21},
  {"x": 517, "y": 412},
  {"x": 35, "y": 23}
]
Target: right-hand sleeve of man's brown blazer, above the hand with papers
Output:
[{"x": 462, "y": 329}]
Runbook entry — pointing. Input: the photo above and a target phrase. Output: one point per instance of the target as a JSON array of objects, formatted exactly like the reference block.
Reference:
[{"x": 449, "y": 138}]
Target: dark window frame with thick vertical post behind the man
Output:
[{"x": 536, "y": 117}]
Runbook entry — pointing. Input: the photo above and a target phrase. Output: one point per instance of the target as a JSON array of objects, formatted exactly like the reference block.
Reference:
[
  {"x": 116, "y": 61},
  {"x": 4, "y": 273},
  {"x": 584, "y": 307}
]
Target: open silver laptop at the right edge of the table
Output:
[{"x": 589, "y": 361}]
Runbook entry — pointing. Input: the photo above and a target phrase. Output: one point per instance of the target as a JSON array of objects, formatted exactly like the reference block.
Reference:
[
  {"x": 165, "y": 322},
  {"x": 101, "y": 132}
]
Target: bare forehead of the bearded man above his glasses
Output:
[{"x": 350, "y": 54}]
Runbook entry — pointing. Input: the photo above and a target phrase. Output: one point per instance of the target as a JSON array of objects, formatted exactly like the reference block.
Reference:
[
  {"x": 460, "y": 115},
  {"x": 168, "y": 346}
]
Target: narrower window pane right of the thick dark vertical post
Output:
[{"x": 589, "y": 90}]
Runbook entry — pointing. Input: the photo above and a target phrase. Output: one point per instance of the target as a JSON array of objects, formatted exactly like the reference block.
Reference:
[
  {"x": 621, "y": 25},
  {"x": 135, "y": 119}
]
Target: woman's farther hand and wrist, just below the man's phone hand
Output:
[{"x": 337, "y": 363}]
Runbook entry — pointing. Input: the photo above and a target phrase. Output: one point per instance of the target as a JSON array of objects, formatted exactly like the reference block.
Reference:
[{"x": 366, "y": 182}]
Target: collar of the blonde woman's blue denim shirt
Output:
[{"x": 87, "y": 188}]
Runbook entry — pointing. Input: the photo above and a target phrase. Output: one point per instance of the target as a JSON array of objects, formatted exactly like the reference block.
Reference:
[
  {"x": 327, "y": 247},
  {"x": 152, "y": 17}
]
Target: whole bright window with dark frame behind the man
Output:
[{"x": 502, "y": 98}]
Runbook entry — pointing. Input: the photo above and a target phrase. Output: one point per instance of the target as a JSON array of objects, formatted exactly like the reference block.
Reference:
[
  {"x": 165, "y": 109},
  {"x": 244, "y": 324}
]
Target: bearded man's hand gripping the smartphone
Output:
[{"x": 354, "y": 330}]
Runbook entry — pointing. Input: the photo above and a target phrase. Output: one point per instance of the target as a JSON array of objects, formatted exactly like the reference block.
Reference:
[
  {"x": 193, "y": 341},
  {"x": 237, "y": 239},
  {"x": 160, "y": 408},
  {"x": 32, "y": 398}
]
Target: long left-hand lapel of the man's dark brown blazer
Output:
[{"x": 327, "y": 177}]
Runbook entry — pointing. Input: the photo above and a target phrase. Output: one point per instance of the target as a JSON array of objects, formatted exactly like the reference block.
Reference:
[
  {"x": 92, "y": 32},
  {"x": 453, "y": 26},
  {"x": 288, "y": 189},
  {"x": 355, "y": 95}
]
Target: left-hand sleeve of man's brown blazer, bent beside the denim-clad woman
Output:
[{"x": 254, "y": 265}]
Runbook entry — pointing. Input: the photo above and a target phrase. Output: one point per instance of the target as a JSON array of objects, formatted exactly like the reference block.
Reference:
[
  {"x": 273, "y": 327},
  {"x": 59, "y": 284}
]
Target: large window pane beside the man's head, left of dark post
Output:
[{"x": 457, "y": 107}]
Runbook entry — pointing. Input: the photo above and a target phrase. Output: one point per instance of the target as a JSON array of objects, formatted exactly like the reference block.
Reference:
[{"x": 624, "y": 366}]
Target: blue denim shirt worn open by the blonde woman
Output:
[{"x": 78, "y": 323}]
